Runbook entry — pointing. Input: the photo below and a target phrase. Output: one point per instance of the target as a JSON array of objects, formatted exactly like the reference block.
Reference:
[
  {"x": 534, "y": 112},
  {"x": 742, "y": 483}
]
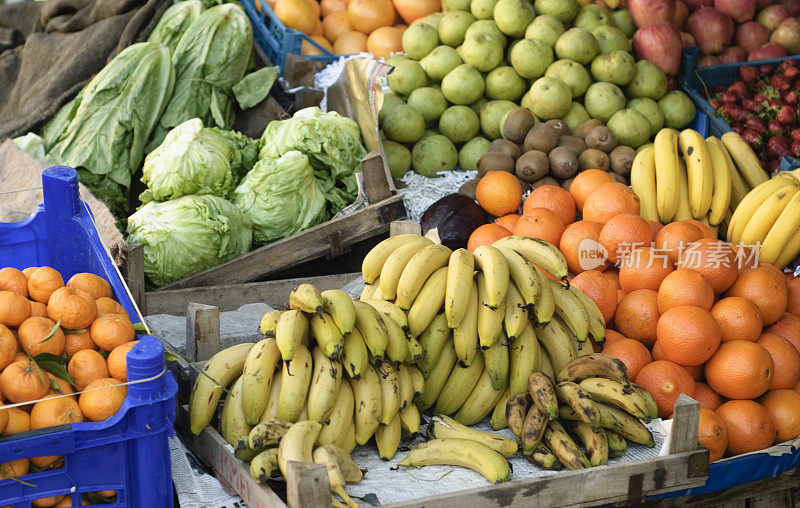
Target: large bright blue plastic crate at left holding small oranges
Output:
[{"x": 128, "y": 452}]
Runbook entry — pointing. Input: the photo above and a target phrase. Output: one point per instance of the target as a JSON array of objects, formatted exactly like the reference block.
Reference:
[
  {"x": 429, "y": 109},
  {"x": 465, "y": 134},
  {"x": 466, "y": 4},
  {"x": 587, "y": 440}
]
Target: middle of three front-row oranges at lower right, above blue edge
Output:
[{"x": 750, "y": 426}]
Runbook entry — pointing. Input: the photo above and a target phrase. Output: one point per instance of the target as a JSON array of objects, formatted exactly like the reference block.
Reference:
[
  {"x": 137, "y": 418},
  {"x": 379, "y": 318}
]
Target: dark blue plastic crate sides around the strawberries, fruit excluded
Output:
[{"x": 696, "y": 80}]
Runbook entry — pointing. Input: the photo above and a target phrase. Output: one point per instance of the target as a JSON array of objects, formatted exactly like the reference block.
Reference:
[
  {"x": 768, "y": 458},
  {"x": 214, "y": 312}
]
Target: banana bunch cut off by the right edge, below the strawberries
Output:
[{"x": 769, "y": 216}]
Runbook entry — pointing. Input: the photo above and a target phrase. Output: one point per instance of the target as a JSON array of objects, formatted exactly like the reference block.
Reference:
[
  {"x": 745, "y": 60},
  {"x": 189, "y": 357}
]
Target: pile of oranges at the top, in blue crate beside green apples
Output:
[{"x": 352, "y": 26}]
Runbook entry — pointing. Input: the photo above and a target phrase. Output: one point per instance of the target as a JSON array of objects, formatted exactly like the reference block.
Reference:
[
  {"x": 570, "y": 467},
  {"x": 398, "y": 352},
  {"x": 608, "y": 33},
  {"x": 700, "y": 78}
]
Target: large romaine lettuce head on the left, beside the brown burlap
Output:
[{"x": 117, "y": 112}]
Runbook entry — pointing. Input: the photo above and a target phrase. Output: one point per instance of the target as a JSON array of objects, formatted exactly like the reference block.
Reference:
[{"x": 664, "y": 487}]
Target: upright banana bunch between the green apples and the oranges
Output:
[{"x": 683, "y": 176}]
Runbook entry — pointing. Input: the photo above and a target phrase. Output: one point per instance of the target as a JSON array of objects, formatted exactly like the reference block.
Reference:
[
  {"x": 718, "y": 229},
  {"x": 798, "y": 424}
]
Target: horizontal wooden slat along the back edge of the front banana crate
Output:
[{"x": 273, "y": 292}]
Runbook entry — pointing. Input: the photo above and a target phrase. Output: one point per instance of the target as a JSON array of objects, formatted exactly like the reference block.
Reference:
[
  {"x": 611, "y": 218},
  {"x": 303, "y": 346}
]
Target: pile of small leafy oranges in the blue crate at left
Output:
[{"x": 79, "y": 322}]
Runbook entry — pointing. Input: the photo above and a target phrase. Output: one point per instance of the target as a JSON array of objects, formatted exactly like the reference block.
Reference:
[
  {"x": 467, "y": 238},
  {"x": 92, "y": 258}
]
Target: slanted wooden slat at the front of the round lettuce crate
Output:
[{"x": 304, "y": 246}]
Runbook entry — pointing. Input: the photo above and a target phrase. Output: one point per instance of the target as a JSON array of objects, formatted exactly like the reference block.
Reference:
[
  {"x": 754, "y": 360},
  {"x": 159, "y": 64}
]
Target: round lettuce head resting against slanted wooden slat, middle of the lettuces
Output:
[{"x": 281, "y": 197}]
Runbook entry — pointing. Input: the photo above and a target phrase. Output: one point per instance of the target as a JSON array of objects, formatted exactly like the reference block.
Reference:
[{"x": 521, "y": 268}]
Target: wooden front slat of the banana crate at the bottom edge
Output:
[{"x": 598, "y": 485}]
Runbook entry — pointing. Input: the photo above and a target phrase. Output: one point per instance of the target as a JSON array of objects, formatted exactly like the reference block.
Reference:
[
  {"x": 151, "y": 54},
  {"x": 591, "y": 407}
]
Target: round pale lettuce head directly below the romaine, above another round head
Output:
[{"x": 191, "y": 160}]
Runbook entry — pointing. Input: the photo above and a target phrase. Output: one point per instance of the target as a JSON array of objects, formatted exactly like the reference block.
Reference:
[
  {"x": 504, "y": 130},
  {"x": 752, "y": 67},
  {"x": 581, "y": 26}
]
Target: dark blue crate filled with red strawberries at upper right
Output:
[{"x": 759, "y": 100}]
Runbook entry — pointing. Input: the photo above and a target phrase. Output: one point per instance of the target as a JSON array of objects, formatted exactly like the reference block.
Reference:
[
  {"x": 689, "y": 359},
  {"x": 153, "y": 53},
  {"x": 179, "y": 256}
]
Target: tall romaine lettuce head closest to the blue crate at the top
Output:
[{"x": 210, "y": 58}]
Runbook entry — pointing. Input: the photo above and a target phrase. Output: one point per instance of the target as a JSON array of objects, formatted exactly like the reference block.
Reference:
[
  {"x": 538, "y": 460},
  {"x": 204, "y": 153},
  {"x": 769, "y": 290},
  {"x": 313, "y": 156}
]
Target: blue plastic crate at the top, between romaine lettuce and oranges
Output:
[{"x": 275, "y": 39}]
